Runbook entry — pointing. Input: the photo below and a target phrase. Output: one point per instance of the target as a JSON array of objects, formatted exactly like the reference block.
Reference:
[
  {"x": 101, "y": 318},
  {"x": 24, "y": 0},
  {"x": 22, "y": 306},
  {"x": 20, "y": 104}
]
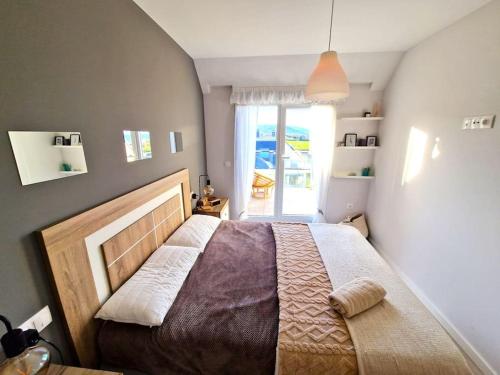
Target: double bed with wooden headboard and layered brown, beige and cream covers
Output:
[{"x": 254, "y": 302}]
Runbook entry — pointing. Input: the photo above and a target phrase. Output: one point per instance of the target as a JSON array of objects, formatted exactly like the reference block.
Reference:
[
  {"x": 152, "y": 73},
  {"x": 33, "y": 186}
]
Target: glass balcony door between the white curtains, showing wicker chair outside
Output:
[{"x": 283, "y": 164}]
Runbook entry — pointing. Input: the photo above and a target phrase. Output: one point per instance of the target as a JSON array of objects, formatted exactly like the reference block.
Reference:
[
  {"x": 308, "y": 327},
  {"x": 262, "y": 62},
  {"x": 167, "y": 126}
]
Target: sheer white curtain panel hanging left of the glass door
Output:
[{"x": 244, "y": 155}]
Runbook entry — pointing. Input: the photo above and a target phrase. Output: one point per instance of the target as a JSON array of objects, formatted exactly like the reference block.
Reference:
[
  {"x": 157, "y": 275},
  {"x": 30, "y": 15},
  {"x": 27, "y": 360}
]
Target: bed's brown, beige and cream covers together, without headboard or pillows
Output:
[{"x": 226, "y": 318}]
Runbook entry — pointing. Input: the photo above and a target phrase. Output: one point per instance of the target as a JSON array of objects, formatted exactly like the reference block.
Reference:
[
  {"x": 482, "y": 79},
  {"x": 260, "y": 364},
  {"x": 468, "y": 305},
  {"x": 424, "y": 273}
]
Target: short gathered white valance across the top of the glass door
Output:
[{"x": 268, "y": 95}]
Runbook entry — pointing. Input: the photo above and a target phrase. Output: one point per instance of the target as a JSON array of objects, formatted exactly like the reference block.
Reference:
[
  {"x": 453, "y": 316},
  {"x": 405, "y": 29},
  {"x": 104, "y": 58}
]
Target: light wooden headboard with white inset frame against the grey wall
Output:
[{"x": 90, "y": 255}]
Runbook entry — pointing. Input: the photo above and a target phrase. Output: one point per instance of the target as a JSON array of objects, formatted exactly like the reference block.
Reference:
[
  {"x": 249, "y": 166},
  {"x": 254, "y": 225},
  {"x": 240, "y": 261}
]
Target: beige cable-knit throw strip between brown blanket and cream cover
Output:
[{"x": 313, "y": 338}]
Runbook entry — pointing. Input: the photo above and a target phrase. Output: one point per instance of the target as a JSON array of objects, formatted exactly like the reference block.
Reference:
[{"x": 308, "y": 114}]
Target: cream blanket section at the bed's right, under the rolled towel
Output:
[{"x": 397, "y": 336}]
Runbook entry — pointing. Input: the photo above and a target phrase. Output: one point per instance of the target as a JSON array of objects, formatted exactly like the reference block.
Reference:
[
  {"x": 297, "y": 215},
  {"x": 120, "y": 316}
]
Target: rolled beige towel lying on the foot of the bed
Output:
[{"x": 356, "y": 296}]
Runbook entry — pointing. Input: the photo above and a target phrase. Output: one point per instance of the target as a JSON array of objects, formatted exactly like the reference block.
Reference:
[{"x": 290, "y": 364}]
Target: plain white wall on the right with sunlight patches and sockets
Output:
[{"x": 442, "y": 228}]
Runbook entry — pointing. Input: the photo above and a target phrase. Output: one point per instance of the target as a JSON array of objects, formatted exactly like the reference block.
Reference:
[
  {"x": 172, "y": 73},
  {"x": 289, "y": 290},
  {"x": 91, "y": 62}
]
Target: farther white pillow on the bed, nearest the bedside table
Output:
[{"x": 195, "y": 232}]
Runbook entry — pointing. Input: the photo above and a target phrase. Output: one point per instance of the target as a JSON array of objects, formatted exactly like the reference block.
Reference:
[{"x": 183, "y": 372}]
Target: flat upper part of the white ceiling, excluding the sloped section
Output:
[{"x": 236, "y": 28}]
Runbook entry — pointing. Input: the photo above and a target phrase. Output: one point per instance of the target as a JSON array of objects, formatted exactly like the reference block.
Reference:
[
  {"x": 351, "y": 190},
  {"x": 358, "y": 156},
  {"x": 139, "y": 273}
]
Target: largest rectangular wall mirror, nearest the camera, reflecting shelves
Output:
[{"x": 44, "y": 156}]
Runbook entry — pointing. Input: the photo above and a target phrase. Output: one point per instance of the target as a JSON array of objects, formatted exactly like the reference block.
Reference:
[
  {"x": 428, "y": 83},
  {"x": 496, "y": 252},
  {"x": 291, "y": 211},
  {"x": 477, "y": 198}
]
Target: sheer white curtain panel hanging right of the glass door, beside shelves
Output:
[{"x": 322, "y": 146}]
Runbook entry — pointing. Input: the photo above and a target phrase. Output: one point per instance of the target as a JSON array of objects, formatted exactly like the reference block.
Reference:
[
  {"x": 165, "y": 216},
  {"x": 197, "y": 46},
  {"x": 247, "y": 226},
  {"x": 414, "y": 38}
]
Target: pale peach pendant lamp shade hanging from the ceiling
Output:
[{"x": 328, "y": 81}]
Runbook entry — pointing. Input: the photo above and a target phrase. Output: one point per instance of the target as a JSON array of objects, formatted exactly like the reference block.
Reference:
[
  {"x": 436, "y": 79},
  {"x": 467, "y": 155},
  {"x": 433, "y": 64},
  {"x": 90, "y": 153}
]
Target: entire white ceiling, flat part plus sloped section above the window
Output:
[{"x": 277, "y": 42}]
